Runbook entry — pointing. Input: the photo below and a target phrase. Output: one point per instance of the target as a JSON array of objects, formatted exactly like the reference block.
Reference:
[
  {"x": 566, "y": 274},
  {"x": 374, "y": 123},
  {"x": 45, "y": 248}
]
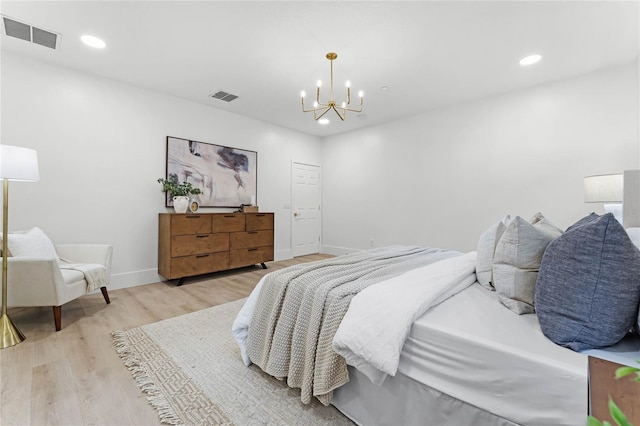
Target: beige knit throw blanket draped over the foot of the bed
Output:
[{"x": 300, "y": 308}]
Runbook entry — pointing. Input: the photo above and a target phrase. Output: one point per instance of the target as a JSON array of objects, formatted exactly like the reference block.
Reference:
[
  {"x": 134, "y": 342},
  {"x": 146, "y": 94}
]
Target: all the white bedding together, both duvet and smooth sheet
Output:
[{"x": 467, "y": 345}]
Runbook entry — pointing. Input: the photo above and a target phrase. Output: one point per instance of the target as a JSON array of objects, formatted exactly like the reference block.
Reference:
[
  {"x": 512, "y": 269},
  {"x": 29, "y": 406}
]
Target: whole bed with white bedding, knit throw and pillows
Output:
[{"x": 414, "y": 335}]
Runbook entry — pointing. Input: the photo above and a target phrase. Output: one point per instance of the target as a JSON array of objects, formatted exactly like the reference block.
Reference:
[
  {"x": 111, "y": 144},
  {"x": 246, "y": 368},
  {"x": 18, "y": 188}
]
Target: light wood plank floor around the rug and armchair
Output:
[{"x": 74, "y": 376}]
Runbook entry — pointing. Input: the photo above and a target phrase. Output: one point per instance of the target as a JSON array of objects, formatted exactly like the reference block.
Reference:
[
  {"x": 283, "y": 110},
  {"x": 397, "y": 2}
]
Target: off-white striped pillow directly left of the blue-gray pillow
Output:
[{"x": 517, "y": 260}]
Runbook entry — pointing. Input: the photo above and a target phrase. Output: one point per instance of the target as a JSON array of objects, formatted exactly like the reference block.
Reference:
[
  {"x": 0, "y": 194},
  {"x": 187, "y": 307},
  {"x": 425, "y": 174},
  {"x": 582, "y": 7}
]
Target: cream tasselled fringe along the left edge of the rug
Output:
[{"x": 146, "y": 384}]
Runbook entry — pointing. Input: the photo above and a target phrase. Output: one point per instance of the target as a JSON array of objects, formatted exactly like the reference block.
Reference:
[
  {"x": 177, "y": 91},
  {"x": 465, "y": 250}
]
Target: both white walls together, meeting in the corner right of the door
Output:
[{"x": 436, "y": 179}]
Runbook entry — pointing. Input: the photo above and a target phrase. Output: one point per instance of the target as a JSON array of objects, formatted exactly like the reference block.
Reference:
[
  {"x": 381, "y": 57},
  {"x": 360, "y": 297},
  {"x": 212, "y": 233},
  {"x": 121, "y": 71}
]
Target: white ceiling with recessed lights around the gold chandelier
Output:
[{"x": 429, "y": 54}]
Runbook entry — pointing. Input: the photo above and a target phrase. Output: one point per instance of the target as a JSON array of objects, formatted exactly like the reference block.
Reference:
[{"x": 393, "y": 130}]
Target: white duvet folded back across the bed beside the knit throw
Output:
[{"x": 375, "y": 327}]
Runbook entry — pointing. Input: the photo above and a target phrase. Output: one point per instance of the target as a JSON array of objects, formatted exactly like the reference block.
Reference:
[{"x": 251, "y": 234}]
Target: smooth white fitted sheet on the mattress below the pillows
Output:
[{"x": 476, "y": 350}]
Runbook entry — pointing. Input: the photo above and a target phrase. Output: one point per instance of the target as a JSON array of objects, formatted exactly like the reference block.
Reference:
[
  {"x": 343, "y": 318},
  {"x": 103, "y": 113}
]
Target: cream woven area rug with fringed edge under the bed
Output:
[{"x": 191, "y": 371}]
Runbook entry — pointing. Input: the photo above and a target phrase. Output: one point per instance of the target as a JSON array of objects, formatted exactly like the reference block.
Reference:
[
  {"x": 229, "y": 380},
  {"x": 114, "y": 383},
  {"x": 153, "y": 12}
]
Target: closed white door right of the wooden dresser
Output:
[{"x": 306, "y": 209}]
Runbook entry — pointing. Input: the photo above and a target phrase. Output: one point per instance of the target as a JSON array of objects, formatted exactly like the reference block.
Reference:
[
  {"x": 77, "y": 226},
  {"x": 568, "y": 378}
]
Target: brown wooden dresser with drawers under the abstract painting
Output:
[{"x": 200, "y": 243}]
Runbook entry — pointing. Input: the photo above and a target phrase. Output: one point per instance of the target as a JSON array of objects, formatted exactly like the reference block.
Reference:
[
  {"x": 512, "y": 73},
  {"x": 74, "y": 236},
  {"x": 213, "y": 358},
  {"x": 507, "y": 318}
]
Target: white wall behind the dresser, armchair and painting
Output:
[{"x": 101, "y": 147}]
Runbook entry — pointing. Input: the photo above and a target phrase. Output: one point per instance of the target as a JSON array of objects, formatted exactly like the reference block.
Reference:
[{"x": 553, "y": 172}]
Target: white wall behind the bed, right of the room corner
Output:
[{"x": 441, "y": 178}]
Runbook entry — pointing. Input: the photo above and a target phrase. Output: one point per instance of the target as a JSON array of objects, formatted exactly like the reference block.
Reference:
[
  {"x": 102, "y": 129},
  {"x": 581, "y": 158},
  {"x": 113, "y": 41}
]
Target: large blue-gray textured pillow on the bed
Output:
[{"x": 588, "y": 286}]
